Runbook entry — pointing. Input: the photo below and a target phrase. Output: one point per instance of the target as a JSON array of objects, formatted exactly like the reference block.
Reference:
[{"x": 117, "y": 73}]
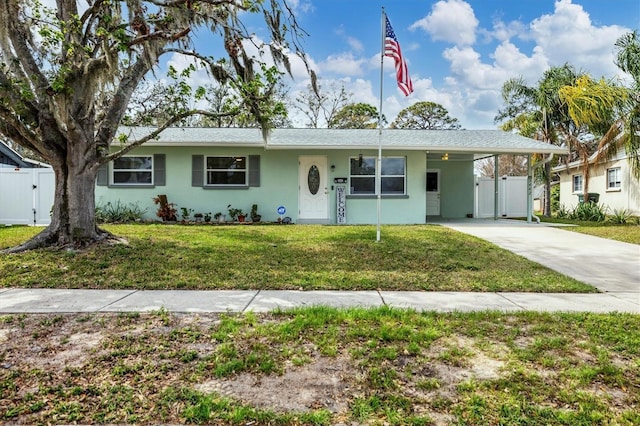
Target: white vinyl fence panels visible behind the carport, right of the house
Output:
[{"x": 512, "y": 196}]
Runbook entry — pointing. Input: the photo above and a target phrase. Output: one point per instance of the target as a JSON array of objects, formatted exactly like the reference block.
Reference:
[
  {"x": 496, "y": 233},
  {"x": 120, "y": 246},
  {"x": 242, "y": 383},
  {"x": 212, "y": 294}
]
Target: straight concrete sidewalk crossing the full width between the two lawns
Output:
[{"x": 51, "y": 301}]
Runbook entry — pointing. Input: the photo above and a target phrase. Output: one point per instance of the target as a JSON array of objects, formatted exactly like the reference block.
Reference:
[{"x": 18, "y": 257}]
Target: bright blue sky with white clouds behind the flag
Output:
[{"x": 459, "y": 52}]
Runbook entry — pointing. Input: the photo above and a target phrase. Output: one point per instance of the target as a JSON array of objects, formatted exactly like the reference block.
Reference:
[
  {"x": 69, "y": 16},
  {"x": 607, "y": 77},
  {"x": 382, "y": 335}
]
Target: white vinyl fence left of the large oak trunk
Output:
[{"x": 26, "y": 196}]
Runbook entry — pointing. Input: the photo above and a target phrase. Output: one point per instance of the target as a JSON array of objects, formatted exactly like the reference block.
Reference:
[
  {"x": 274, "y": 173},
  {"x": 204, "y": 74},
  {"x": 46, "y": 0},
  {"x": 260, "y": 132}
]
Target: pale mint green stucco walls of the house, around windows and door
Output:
[{"x": 279, "y": 186}]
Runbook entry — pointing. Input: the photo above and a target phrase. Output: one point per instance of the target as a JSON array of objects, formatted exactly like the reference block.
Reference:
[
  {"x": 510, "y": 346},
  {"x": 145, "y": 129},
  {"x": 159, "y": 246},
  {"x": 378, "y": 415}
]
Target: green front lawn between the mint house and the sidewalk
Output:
[{"x": 281, "y": 257}]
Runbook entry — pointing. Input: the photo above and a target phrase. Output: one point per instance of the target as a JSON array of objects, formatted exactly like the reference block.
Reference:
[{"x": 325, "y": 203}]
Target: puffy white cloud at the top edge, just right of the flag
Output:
[{"x": 450, "y": 20}]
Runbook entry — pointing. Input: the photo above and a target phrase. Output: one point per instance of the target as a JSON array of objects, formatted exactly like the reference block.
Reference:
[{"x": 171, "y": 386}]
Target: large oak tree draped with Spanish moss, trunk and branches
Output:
[{"x": 67, "y": 74}]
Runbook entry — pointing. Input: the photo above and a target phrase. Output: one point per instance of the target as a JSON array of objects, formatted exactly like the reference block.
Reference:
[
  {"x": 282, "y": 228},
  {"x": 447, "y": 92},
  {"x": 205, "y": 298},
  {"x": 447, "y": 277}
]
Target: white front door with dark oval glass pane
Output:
[{"x": 313, "y": 195}]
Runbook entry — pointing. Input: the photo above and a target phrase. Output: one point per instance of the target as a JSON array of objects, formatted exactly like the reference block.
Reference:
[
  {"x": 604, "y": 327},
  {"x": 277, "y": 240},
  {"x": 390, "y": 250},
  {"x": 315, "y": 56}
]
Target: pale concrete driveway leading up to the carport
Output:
[{"x": 610, "y": 266}]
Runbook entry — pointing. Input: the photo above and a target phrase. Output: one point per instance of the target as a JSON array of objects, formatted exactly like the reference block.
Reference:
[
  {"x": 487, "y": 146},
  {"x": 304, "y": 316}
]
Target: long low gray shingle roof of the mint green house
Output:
[{"x": 462, "y": 141}]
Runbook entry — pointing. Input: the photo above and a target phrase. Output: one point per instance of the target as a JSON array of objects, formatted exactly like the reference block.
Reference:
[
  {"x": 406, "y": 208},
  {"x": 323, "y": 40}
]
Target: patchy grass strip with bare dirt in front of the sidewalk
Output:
[{"x": 388, "y": 366}]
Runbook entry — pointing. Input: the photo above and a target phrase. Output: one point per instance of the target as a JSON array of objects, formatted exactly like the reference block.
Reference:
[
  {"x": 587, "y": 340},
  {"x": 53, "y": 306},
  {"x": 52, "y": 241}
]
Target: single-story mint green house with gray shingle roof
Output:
[{"x": 323, "y": 176}]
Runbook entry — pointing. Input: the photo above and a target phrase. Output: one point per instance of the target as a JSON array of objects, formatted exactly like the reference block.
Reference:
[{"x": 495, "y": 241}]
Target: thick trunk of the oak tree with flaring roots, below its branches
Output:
[{"x": 73, "y": 217}]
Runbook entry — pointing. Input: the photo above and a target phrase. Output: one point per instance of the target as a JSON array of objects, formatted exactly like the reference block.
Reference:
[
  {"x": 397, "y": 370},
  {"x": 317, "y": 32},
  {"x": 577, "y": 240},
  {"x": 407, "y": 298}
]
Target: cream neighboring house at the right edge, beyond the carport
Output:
[{"x": 613, "y": 181}]
